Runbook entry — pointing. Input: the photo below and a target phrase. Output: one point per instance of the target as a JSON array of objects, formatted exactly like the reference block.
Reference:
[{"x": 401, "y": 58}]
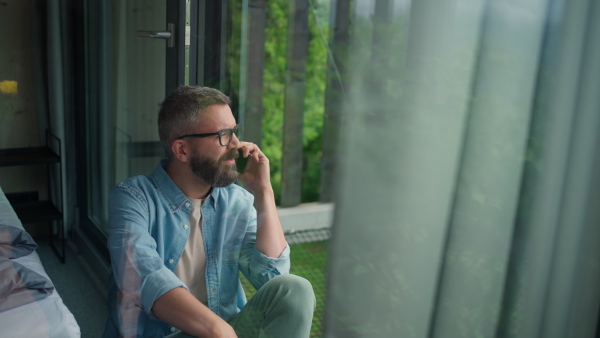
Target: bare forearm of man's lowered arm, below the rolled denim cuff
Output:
[{"x": 181, "y": 309}]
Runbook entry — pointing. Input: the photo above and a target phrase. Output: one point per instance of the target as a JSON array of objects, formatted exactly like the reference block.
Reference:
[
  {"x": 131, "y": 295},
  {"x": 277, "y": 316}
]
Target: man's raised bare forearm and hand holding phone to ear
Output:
[{"x": 257, "y": 179}]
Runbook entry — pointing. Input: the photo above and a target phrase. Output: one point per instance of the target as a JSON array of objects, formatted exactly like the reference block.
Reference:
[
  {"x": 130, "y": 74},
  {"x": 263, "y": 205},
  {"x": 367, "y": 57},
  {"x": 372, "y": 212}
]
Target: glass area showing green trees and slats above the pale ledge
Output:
[{"x": 257, "y": 66}]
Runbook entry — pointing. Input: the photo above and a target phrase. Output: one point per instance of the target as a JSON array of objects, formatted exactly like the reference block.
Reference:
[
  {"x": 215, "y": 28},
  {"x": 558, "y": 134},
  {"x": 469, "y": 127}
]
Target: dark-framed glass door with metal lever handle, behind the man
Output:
[{"x": 136, "y": 51}]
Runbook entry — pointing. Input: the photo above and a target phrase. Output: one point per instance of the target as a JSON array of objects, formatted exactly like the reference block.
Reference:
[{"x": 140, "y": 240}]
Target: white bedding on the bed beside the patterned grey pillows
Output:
[{"x": 48, "y": 317}]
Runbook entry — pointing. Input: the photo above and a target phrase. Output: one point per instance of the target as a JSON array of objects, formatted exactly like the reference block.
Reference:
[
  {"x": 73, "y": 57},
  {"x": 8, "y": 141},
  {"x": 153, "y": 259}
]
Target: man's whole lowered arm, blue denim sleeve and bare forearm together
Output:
[{"x": 140, "y": 274}]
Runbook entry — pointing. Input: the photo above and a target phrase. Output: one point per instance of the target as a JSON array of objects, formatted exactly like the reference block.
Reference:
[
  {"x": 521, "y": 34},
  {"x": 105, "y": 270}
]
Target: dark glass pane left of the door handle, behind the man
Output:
[{"x": 127, "y": 77}]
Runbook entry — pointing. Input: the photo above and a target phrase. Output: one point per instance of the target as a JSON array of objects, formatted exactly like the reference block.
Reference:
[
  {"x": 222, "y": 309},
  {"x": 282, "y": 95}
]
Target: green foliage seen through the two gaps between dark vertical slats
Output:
[{"x": 274, "y": 95}]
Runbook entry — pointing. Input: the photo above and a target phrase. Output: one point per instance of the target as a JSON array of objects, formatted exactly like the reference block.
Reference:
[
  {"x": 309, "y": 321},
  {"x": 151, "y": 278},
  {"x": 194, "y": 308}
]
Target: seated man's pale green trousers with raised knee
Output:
[{"x": 283, "y": 307}]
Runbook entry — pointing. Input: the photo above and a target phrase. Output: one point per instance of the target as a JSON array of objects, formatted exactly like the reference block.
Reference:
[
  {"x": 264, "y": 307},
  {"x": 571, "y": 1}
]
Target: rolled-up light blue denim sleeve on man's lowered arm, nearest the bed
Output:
[{"x": 138, "y": 269}]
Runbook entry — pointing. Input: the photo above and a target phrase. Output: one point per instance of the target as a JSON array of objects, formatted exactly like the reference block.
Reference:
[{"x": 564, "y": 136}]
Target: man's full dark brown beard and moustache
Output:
[{"x": 216, "y": 174}]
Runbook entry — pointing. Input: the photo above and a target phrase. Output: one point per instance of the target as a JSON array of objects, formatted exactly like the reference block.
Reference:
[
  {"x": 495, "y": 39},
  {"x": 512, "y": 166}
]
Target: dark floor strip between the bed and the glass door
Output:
[{"x": 76, "y": 288}]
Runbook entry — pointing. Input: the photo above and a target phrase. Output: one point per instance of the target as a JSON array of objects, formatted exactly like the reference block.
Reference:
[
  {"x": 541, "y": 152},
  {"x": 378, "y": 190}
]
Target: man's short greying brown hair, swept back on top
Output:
[{"x": 181, "y": 109}]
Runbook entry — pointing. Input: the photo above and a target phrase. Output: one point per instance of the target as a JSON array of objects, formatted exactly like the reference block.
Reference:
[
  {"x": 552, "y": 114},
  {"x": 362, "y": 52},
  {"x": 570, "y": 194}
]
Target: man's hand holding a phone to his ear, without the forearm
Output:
[{"x": 257, "y": 177}]
